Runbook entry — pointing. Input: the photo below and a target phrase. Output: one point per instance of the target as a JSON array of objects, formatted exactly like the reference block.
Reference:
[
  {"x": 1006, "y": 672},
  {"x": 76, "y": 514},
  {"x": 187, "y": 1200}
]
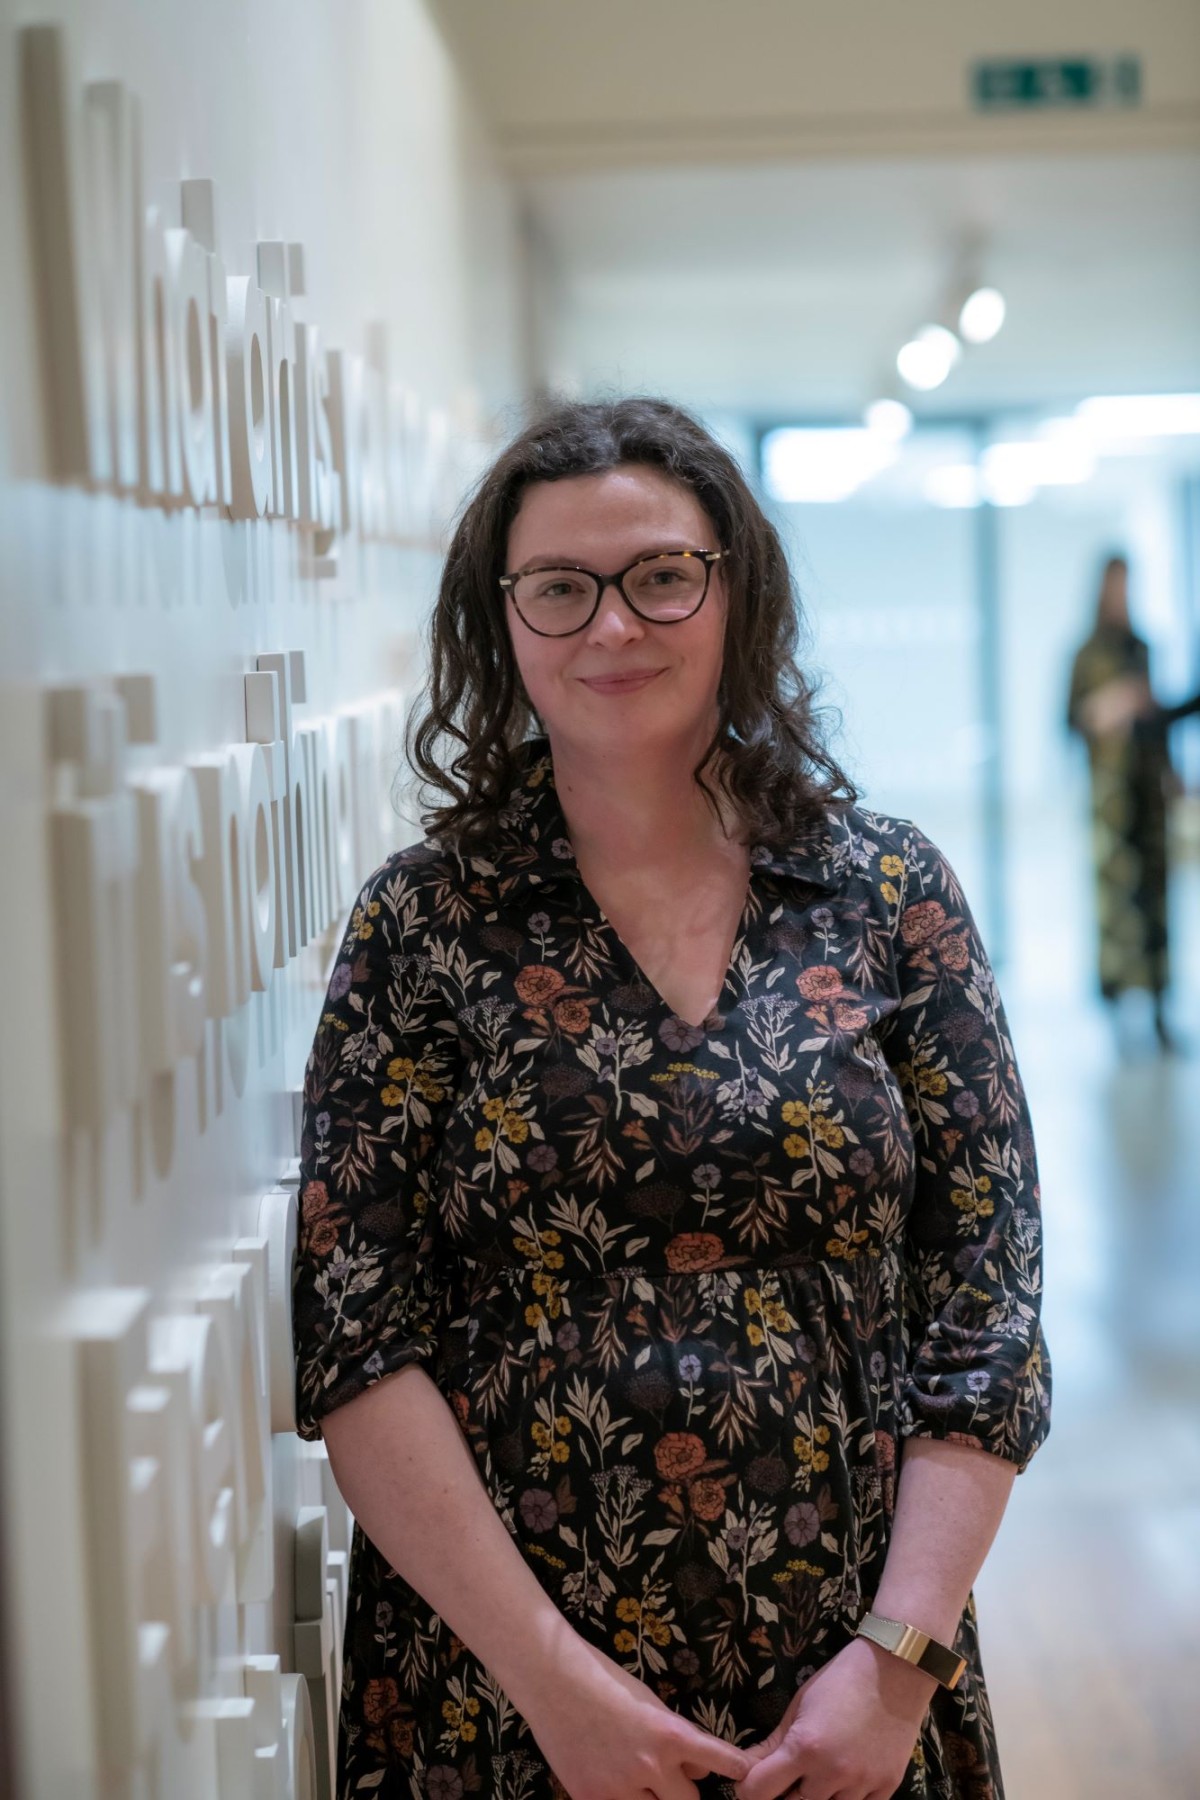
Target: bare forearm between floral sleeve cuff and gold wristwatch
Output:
[{"x": 949, "y": 1506}]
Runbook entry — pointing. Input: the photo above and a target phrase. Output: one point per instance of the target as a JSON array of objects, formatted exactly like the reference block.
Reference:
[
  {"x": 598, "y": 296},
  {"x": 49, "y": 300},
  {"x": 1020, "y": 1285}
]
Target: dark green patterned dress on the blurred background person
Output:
[{"x": 1129, "y": 823}]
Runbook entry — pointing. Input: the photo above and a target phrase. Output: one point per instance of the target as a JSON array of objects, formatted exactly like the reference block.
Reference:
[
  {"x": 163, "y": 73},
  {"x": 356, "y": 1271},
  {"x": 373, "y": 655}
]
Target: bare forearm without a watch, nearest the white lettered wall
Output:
[{"x": 411, "y": 1480}]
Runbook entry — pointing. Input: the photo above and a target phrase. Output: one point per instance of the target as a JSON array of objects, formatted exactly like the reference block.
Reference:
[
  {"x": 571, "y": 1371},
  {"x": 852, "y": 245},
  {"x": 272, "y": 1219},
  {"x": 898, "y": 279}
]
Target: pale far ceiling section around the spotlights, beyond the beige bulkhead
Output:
[{"x": 785, "y": 289}]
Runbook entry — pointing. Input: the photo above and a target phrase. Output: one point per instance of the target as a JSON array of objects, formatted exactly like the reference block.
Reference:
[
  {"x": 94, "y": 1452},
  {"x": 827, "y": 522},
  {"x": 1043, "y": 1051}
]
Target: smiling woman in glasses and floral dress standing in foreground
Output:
[{"x": 665, "y": 1151}]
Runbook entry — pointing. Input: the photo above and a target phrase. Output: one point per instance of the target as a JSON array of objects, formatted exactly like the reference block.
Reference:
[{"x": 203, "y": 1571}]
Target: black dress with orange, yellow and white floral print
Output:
[{"x": 688, "y": 1288}]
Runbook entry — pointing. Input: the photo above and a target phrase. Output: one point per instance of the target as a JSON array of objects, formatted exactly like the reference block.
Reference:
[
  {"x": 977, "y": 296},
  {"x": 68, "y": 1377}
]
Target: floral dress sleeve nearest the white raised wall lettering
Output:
[{"x": 379, "y": 1084}]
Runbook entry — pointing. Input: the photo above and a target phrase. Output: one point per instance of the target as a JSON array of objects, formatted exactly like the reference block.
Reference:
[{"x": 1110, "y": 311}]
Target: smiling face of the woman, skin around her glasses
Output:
[{"x": 622, "y": 681}]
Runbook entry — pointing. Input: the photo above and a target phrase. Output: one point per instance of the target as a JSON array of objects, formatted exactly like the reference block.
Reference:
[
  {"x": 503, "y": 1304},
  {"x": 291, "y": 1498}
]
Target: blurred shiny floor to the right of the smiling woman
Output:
[{"x": 1089, "y": 1603}]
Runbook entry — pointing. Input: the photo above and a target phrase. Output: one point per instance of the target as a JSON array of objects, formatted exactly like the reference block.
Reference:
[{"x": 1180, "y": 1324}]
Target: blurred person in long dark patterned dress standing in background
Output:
[{"x": 1113, "y": 708}]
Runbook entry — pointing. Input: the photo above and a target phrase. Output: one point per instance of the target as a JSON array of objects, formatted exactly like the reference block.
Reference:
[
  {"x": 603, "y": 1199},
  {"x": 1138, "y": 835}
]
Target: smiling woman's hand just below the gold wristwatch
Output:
[{"x": 848, "y": 1734}]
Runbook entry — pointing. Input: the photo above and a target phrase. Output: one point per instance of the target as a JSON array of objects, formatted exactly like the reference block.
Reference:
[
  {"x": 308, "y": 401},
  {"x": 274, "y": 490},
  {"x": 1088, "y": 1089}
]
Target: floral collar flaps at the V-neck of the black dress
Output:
[{"x": 535, "y": 847}]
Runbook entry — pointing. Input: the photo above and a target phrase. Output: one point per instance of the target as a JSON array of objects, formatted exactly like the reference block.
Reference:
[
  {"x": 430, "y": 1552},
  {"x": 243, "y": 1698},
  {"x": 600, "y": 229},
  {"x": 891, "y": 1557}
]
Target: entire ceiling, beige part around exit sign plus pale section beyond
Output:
[{"x": 751, "y": 206}]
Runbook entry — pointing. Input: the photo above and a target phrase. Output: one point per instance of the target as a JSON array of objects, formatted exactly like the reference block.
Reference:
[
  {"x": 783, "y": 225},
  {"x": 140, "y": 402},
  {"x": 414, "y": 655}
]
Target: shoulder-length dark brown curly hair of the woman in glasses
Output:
[{"x": 775, "y": 766}]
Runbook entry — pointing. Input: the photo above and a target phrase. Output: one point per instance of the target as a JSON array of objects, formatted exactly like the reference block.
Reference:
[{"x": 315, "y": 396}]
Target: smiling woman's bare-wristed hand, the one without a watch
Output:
[{"x": 609, "y": 1738}]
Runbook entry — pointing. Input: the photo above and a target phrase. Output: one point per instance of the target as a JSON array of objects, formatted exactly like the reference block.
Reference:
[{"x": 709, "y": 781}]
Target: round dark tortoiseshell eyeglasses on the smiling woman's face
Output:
[{"x": 661, "y": 589}]
